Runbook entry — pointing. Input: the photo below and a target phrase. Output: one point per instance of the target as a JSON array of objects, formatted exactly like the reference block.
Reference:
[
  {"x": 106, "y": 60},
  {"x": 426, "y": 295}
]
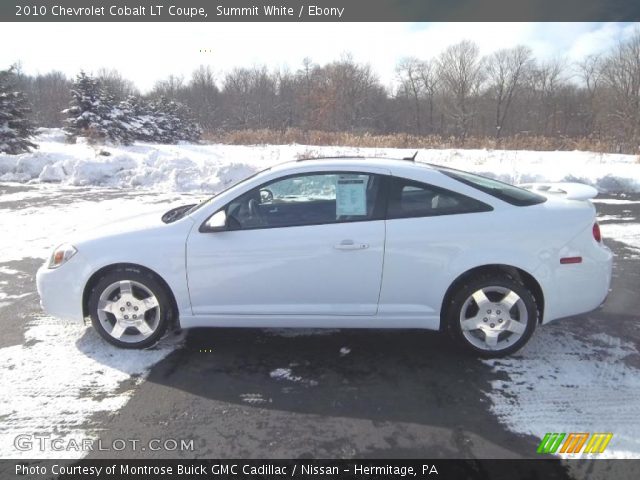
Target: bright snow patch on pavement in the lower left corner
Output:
[{"x": 61, "y": 377}]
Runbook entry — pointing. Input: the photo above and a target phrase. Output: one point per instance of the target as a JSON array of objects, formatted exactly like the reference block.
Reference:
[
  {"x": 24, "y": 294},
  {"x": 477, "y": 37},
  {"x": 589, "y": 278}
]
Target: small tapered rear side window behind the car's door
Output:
[{"x": 408, "y": 198}]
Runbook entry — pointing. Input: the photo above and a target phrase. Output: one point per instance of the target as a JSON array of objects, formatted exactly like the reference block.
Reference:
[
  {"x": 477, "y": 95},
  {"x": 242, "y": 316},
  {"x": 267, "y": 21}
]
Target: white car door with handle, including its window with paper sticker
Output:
[{"x": 306, "y": 244}]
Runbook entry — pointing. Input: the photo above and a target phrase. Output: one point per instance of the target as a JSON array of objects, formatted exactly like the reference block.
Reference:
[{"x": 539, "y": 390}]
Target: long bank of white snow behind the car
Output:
[{"x": 209, "y": 168}]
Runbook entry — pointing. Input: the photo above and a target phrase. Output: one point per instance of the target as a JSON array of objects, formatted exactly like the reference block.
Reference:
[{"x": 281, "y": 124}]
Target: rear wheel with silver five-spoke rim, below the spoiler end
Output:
[{"x": 492, "y": 315}]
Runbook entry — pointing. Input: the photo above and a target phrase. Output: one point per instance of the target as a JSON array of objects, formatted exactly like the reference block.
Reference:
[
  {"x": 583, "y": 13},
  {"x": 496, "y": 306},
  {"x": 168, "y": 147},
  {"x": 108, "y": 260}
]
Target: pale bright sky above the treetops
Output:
[{"x": 146, "y": 52}]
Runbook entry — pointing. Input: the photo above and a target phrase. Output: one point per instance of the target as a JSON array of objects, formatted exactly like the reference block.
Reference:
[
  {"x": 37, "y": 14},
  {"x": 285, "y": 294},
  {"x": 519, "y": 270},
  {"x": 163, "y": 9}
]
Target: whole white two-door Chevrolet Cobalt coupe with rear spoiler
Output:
[{"x": 342, "y": 243}]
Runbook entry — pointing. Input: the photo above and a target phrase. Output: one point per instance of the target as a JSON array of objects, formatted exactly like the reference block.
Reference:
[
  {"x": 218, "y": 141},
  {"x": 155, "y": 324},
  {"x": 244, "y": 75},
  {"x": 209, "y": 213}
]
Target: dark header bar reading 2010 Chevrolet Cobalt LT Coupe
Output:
[{"x": 318, "y": 10}]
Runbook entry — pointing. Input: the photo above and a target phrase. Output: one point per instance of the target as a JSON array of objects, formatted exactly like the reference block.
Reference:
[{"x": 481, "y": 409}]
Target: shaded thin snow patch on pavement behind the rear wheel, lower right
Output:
[{"x": 564, "y": 383}]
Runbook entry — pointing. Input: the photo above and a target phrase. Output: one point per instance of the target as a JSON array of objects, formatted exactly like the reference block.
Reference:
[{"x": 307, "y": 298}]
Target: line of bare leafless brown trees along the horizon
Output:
[{"x": 457, "y": 94}]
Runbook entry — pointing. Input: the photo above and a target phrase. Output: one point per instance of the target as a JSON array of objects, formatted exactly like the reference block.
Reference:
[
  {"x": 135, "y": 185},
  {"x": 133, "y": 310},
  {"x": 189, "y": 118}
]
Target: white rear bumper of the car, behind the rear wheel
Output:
[{"x": 579, "y": 288}]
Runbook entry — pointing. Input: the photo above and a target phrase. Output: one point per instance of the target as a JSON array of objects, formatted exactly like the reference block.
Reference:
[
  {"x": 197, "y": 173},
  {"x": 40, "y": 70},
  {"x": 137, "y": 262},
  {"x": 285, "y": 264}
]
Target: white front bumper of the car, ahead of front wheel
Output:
[{"x": 61, "y": 289}]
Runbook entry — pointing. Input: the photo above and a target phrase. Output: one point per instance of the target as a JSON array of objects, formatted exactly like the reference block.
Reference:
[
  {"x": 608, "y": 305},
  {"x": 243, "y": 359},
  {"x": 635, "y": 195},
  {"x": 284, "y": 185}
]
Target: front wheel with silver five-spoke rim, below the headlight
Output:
[{"x": 130, "y": 308}]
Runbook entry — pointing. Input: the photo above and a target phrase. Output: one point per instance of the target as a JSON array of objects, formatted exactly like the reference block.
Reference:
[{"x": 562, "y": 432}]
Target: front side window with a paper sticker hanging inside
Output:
[{"x": 308, "y": 199}]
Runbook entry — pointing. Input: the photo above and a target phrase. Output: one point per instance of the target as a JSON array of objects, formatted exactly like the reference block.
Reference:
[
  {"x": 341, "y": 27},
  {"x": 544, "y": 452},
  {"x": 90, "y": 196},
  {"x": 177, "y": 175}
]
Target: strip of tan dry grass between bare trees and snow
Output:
[{"x": 401, "y": 140}]
